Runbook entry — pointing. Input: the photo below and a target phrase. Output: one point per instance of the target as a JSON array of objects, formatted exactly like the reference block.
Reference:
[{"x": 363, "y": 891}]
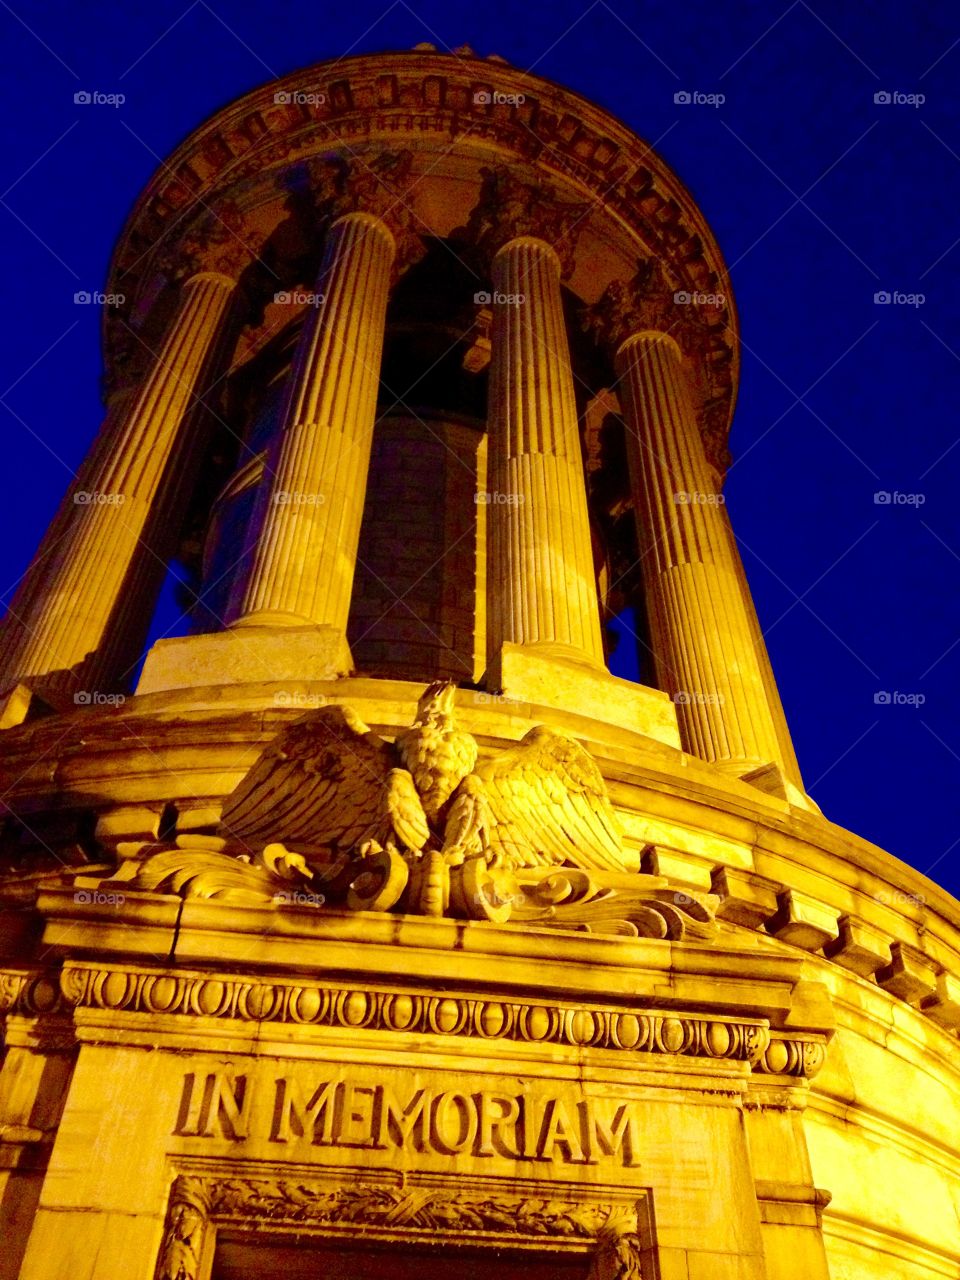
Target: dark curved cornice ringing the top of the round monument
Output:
[{"x": 420, "y": 98}]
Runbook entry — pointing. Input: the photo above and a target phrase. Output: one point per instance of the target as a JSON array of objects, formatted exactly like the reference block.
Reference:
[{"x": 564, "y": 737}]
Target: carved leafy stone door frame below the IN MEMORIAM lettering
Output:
[{"x": 403, "y": 1214}]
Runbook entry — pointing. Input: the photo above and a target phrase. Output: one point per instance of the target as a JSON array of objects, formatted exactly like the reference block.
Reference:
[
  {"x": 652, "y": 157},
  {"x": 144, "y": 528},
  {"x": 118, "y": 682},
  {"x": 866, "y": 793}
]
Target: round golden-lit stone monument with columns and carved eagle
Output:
[{"x": 371, "y": 926}]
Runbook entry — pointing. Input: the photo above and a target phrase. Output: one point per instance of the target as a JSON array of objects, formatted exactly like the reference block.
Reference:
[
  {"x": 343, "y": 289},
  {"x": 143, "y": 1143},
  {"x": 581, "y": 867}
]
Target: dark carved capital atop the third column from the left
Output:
[{"x": 511, "y": 209}]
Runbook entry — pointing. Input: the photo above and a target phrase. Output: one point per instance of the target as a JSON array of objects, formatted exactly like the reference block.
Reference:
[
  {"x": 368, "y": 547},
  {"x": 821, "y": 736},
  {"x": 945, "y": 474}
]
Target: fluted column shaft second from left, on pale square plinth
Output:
[{"x": 308, "y": 531}]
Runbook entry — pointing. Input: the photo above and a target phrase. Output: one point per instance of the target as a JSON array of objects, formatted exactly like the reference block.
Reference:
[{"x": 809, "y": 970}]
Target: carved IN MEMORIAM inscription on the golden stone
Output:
[{"x": 341, "y": 1112}]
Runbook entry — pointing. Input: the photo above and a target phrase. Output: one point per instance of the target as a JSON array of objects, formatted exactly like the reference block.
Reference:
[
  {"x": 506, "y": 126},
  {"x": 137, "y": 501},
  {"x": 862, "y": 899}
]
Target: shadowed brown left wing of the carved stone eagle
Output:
[{"x": 319, "y": 784}]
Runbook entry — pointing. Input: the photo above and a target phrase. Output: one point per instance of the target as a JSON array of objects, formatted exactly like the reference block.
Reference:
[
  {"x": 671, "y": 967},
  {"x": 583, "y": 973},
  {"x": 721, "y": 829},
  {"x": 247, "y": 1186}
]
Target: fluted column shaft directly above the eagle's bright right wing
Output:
[{"x": 542, "y": 588}]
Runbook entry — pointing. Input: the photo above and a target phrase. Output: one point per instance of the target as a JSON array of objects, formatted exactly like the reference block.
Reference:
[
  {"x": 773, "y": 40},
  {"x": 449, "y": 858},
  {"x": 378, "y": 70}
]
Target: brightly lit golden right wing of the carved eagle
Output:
[{"x": 548, "y": 804}]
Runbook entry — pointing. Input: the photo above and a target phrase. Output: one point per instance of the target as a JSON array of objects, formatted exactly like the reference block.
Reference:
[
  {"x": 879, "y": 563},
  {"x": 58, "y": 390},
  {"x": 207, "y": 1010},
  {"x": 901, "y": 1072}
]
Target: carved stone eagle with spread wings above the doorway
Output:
[{"x": 328, "y": 785}]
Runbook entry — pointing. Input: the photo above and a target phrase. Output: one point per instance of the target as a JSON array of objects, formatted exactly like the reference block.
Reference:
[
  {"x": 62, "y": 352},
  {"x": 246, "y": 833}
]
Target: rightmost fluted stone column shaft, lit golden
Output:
[{"x": 708, "y": 655}]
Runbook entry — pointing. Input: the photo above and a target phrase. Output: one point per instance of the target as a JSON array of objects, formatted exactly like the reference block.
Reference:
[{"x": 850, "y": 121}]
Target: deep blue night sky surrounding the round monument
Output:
[{"x": 819, "y": 198}]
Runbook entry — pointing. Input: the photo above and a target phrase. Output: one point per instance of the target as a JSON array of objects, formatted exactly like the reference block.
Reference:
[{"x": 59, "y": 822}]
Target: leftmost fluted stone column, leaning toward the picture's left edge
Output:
[{"x": 61, "y": 616}]
